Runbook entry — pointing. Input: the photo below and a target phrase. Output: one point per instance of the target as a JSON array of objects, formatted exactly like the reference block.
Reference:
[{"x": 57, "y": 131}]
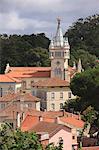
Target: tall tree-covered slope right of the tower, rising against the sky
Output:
[{"x": 84, "y": 40}]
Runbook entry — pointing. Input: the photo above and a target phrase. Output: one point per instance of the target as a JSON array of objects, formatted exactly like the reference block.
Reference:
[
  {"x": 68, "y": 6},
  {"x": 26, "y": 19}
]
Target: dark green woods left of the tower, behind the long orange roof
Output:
[{"x": 26, "y": 50}]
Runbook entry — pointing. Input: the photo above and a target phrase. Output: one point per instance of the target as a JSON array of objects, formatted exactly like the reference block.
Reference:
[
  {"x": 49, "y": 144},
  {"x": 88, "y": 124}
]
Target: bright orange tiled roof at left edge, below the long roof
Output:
[{"x": 5, "y": 78}]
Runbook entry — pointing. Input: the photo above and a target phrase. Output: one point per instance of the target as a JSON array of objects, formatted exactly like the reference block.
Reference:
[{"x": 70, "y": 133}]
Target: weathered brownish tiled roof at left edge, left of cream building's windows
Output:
[{"x": 18, "y": 96}]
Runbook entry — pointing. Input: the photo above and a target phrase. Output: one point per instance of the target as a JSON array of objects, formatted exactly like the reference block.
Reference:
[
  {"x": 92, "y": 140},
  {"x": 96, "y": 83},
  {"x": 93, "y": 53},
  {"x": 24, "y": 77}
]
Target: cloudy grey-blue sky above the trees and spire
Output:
[{"x": 35, "y": 16}]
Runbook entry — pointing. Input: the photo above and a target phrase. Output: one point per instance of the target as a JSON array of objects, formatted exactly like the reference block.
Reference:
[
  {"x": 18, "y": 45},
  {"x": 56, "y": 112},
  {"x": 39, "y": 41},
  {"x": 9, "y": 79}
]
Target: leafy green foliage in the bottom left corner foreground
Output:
[{"x": 16, "y": 140}]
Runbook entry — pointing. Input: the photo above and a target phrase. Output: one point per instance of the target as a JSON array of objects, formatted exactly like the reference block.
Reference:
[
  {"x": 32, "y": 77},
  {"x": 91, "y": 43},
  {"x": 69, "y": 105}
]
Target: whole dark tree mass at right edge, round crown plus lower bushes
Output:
[{"x": 86, "y": 86}]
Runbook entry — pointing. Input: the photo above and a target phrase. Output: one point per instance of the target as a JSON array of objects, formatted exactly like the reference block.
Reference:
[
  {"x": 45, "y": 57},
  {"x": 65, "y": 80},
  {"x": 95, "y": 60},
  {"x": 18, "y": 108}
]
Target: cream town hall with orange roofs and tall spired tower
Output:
[{"x": 49, "y": 84}]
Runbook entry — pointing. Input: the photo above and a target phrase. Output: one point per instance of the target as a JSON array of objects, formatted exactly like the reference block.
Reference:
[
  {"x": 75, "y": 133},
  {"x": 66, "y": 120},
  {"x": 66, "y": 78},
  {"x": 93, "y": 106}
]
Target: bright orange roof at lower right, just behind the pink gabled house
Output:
[{"x": 73, "y": 121}]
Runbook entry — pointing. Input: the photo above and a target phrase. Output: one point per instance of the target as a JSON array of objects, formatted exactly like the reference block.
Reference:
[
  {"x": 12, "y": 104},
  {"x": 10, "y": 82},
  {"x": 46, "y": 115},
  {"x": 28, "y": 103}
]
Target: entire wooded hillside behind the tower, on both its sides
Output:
[{"x": 32, "y": 50}]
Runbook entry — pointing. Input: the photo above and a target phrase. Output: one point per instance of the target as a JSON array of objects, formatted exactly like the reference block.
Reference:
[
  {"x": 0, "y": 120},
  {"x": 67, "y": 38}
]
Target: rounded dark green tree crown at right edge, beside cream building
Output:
[{"x": 86, "y": 86}]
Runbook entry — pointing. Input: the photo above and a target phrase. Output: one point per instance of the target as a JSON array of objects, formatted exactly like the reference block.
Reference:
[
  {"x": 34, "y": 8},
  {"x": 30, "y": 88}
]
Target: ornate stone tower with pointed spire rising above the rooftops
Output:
[{"x": 59, "y": 50}]
